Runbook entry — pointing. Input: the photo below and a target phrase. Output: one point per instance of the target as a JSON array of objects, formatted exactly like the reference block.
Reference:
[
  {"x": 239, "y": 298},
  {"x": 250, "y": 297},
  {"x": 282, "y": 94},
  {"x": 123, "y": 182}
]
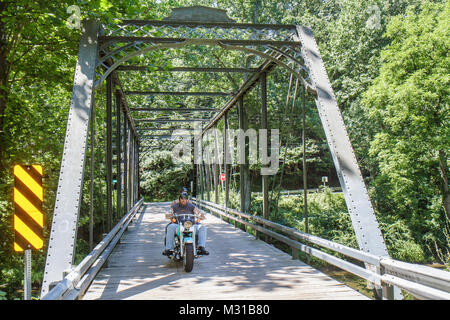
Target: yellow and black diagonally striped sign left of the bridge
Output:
[{"x": 28, "y": 214}]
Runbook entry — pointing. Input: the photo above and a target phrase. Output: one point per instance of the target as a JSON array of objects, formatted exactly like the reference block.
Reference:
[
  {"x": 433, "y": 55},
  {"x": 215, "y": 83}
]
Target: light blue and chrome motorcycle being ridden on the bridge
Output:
[{"x": 185, "y": 240}]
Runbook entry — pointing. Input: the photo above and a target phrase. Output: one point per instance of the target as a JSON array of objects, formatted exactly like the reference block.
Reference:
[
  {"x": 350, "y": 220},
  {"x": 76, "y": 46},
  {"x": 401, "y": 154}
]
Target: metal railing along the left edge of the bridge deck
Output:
[{"x": 78, "y": 280}]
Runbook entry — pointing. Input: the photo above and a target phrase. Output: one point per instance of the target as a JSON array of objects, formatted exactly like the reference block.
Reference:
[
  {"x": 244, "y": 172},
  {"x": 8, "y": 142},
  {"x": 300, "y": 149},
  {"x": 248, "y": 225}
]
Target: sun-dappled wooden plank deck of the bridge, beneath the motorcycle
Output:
[{"x": 238, "y": 267}]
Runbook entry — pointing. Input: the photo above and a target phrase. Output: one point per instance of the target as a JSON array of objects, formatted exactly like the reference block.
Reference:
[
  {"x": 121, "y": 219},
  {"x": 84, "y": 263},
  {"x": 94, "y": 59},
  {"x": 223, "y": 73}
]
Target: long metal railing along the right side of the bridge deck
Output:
[{"x": 420, "y": 281}]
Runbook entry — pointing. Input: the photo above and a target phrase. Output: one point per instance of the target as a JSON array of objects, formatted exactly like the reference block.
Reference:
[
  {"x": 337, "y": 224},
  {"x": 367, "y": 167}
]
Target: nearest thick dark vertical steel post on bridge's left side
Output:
[{"x": 109, "y": 209}]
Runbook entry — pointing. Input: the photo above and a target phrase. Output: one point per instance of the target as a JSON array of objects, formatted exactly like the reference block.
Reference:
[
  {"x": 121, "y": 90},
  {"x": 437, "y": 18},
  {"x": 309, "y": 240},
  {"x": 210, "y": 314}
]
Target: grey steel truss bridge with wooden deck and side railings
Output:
[{"x": 129, "y": 255}]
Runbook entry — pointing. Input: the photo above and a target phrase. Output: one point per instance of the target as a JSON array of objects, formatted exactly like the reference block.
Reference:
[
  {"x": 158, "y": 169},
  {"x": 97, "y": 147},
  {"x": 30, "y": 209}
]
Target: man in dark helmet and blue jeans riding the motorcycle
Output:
[{"x": 184, "y": 206}]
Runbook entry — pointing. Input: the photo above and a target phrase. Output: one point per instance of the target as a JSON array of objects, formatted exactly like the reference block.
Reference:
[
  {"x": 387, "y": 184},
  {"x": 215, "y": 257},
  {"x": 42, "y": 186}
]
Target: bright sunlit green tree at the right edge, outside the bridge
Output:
[{"x": 409, "y": 102}]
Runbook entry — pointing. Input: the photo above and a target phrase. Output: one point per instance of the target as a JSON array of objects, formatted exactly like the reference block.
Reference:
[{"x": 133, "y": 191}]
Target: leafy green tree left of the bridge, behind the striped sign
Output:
[{"x": 38, "y": 52}]
